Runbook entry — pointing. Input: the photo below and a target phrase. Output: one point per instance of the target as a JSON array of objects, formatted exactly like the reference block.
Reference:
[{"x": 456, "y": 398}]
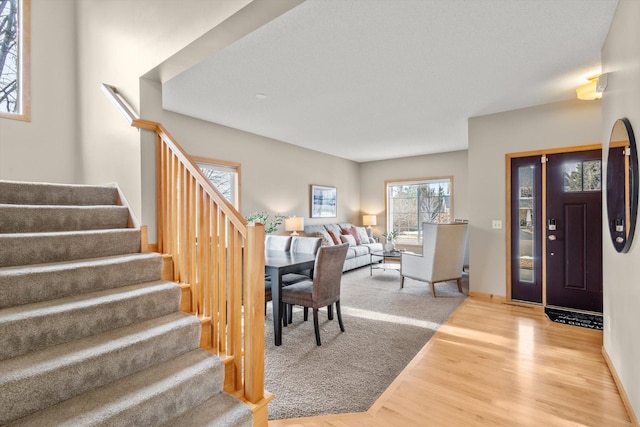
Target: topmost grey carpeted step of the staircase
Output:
[{"x": 27, "y": 193}]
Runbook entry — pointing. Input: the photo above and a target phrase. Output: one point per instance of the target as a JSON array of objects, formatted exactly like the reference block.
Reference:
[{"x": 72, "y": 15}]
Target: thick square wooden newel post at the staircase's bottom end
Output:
[{"x": 254, "y": 313}]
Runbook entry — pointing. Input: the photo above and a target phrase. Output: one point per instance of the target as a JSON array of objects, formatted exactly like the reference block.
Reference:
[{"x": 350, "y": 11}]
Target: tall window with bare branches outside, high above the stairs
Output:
[{"x": 14, "y": 59}]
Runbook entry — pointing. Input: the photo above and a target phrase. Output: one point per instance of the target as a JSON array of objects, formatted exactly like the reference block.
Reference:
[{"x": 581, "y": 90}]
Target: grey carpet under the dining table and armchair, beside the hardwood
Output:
[{"x": 385, "y": 327}]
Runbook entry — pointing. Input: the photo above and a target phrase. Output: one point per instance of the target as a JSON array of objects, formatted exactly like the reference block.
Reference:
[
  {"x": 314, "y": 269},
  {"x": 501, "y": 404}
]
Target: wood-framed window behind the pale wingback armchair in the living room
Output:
[{"x": 412, "y": 202}]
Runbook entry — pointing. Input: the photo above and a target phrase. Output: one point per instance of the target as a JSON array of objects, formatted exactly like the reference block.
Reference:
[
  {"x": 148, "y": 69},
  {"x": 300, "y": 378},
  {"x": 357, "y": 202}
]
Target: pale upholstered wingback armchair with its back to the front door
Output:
[{"x": 442, "y": 259}]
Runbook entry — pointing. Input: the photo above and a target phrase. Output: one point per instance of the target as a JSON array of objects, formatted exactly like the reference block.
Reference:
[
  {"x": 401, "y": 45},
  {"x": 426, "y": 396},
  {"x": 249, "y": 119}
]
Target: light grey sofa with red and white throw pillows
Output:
[{"x": 360, "y": 247}]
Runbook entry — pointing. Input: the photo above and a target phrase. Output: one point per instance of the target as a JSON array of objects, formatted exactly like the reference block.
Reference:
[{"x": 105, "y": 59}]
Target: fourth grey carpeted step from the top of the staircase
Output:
[{"x": 20, "y": 286}]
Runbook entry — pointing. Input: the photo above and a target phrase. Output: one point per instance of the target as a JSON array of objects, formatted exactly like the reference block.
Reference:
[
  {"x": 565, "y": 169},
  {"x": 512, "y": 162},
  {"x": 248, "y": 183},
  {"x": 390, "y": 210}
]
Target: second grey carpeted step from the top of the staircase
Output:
[{"x": 38, "y": 219}]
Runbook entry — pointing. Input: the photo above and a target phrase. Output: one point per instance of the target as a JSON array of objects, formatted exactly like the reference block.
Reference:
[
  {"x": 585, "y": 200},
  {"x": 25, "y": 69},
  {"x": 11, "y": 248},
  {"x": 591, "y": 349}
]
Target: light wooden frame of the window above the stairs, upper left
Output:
[{"x": 24, "y": 64}]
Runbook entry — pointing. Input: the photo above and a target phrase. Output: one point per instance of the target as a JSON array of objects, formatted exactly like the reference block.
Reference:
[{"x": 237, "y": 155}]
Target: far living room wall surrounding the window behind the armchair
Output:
[{"x": 374, "y": 174}]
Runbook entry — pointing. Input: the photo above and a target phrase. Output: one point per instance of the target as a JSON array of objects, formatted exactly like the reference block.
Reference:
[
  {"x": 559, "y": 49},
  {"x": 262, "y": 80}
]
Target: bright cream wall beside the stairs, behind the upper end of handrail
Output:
[{"x": 118, "y": 42}]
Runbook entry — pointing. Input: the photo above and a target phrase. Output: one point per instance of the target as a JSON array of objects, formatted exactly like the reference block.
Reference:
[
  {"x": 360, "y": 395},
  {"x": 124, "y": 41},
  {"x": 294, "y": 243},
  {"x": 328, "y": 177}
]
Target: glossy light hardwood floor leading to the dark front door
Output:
[{"x": 497, "y": 365}]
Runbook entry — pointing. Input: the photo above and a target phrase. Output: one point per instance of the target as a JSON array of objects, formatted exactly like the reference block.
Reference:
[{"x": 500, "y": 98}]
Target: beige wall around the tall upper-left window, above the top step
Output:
[{"x": 44, "y": 149}]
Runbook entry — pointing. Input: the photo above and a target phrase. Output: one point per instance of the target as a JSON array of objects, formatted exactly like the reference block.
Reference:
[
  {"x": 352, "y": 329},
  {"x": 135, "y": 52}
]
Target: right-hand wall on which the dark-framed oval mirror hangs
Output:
[{"x": 621, "y": 60}]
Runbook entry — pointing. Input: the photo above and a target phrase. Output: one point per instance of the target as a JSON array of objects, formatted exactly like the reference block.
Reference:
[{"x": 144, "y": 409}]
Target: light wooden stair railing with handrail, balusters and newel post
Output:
[{"x": 218, "y": 256}]
